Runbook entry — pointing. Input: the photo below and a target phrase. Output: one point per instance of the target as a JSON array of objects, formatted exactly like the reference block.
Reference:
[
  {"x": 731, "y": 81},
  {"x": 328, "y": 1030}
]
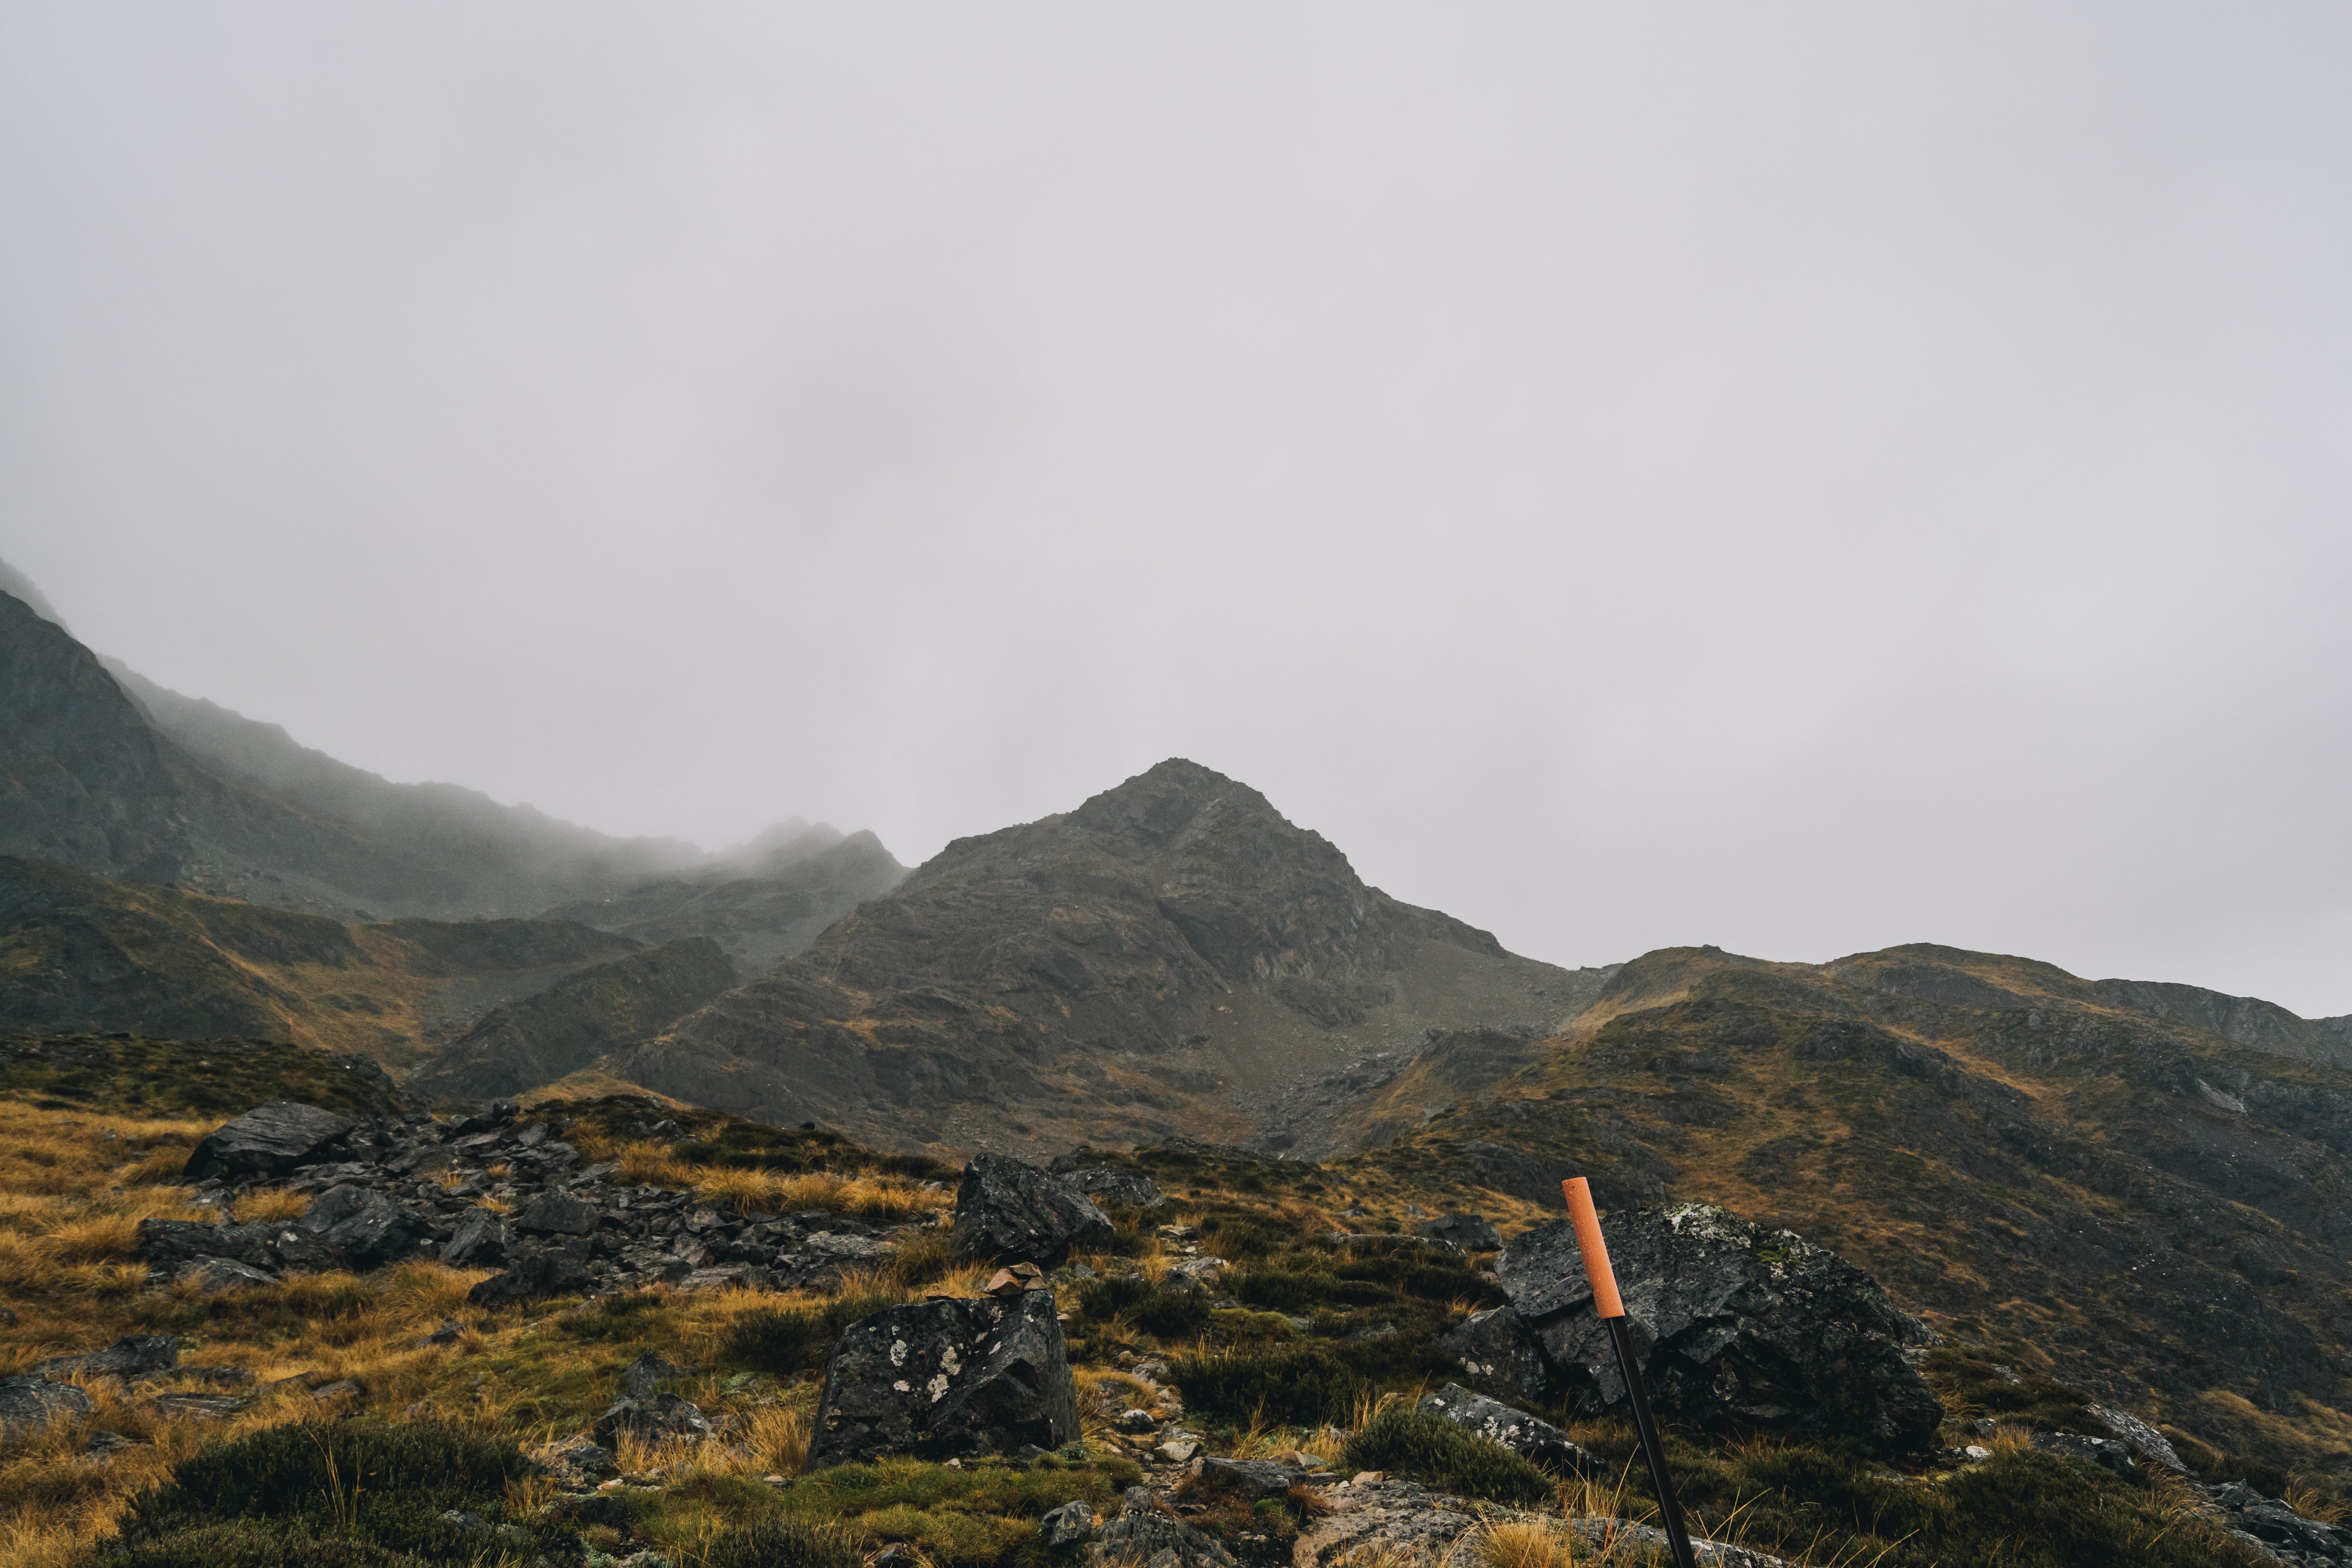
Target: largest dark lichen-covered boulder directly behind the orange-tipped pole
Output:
[{"x": 1737, "y": 1327}]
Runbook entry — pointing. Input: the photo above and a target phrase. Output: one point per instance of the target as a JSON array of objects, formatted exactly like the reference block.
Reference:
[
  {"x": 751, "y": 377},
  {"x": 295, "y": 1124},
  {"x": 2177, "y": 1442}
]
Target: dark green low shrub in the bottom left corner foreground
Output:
[{"x": 354, "y": 1492}]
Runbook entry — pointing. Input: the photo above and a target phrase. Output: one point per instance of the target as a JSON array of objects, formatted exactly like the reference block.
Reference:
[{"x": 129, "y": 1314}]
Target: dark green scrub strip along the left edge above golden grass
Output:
[{"x": 178, "y": 1078}]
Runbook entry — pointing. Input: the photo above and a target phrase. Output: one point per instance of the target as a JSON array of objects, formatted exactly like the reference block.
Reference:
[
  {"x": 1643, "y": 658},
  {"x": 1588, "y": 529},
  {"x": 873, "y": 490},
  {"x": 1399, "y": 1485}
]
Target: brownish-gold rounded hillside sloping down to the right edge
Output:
[{"x": 2062, "y": 1170}]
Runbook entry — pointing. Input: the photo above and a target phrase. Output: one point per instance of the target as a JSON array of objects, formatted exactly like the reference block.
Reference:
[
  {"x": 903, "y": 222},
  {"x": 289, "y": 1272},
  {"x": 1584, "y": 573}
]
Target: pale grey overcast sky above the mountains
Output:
[{"x": 1798, "y": 478}]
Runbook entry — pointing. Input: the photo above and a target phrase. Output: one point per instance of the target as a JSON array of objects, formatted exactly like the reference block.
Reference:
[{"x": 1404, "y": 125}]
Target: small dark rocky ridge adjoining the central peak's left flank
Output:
[{"x": 577, "y": 1021}]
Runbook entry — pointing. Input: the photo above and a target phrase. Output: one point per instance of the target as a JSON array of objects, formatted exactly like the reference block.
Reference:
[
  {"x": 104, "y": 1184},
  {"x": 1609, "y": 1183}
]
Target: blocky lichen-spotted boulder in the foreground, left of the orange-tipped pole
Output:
[{"x": 949, "y": 1379}]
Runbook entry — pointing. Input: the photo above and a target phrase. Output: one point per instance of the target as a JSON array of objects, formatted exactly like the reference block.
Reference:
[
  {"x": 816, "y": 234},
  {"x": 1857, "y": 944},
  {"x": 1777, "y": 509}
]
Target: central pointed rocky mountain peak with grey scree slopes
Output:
[{"x": 1172, "y": 956}]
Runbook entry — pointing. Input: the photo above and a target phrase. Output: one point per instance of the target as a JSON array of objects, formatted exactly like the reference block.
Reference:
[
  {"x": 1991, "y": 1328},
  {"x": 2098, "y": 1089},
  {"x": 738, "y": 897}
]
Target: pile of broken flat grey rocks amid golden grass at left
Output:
[{"x": 417, "y": 1188}]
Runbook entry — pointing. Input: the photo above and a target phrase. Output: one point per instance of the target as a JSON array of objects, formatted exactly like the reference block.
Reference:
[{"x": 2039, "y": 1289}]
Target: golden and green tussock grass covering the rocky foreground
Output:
[{"x": 345, "y": 1367}]
